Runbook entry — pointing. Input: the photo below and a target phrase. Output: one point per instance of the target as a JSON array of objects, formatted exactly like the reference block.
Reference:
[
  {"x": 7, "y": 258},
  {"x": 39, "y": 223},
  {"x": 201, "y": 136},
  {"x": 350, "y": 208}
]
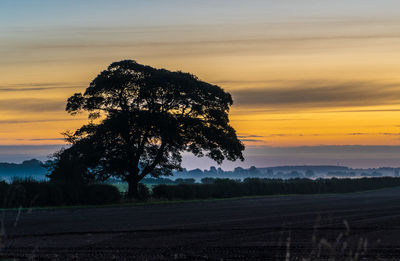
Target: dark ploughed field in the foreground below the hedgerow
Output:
[{"x": 365, "y": 224}]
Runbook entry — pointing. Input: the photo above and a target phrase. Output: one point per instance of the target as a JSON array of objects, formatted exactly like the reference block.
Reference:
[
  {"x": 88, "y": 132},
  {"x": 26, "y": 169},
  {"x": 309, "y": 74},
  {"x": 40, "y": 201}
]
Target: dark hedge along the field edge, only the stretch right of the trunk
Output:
[{"x": 225, "y": 188}]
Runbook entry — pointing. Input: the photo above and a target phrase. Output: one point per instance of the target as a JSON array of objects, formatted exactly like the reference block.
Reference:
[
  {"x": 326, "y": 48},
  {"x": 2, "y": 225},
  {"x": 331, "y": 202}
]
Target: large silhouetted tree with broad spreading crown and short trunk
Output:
[{"x": 142, "y": 119}]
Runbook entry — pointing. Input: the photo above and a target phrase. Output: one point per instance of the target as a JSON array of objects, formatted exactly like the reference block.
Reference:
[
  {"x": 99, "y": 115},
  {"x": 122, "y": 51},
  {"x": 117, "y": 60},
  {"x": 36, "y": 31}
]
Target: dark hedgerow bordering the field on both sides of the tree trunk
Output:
[{"x": 31, "y": 193}]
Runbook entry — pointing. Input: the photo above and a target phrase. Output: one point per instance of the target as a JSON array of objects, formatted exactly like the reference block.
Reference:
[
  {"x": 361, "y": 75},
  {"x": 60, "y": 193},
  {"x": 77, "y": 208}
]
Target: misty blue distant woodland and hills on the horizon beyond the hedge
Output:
[{"x": 35, "y": 168}]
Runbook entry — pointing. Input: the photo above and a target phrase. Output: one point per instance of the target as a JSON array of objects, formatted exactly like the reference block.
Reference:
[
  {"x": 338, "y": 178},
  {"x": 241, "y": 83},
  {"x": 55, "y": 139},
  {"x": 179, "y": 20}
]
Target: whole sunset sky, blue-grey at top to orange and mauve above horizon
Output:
[{"x": 313, "y": 81}]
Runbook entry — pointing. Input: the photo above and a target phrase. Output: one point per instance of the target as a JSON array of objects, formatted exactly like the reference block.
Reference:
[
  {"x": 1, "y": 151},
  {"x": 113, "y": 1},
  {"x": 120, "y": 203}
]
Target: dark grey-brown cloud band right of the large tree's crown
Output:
[{"x": 307, "y": 95}]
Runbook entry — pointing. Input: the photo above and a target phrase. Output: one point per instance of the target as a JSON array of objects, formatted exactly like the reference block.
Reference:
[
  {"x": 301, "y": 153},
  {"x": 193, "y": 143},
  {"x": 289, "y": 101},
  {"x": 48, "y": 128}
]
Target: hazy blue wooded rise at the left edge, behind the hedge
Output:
[{"x": 31, "y": 167}]
